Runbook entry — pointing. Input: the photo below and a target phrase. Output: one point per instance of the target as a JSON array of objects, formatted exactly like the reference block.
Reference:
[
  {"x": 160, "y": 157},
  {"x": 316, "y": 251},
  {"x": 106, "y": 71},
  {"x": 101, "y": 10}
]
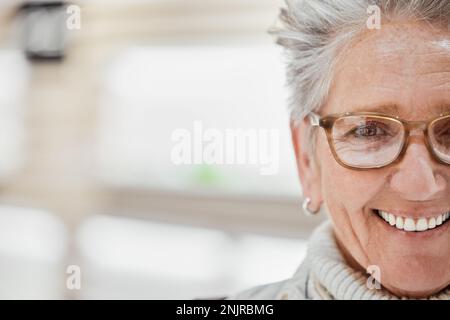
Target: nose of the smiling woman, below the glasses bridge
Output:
[{"x": 415, "y": 177}]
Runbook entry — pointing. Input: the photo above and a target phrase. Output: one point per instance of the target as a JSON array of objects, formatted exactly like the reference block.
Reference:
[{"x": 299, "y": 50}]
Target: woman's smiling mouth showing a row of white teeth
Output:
[{"x": 408, "y": 224}]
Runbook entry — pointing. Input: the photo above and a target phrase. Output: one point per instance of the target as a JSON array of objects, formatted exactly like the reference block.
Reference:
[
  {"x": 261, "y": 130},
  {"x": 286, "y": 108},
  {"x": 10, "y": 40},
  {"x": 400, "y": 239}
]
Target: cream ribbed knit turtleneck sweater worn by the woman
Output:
[{"x": 323, "y": 275}]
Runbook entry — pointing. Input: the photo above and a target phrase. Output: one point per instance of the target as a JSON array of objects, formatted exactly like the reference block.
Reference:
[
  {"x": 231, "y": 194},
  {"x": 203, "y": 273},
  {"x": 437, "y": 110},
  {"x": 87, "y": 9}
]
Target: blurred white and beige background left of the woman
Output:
[{"x": 90, "y": 95}]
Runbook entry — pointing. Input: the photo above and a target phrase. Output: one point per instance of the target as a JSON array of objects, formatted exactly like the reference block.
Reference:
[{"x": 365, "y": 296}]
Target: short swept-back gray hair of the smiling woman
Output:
[{"x": 313, "y": 31}]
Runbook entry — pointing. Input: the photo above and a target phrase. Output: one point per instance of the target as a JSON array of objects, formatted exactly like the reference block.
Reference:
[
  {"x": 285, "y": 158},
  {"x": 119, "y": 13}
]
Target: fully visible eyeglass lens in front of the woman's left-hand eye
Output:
[{"x": 367, "y": 141}]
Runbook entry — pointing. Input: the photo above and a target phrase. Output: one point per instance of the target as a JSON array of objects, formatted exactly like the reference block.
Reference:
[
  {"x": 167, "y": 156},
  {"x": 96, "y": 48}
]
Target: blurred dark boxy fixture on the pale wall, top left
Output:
[{"x": 43, "y": 29}]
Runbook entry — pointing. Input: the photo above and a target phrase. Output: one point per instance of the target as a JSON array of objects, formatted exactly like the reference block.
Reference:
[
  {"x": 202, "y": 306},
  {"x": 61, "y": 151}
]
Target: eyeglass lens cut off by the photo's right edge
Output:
[{"x": 440, "y": 138}]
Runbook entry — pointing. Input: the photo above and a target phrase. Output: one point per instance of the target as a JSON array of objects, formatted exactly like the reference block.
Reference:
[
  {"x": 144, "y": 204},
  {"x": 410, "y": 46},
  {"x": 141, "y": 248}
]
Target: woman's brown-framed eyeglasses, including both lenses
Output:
[{"x": 368, "y": 140}]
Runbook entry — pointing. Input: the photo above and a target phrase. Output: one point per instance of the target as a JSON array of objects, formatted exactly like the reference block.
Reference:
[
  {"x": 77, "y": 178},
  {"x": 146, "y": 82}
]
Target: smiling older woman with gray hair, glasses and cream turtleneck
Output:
[{"x": 370, "y": 126}]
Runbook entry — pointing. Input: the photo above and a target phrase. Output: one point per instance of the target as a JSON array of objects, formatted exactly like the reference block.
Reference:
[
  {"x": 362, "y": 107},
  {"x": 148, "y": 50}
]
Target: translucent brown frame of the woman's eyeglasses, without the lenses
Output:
[{"x": 327, "y": 123}]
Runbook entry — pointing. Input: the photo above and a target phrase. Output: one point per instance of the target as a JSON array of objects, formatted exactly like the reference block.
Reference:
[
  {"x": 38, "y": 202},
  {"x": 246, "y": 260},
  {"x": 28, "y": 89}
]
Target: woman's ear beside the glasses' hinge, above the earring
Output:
[{"x": 308, "y": 168}]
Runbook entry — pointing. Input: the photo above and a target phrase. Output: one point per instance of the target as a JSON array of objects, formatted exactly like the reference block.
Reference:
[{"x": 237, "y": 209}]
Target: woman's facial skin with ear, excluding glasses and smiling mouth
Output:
[{"x": 404, "y": 66}]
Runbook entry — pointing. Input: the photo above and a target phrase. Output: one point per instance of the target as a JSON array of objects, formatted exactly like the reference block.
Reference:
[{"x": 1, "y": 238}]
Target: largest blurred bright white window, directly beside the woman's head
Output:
[{"x": 152, "y": 91}]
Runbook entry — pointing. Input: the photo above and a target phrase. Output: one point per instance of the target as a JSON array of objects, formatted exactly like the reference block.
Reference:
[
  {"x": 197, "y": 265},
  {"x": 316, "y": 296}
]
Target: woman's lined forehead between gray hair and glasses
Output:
[{"x": 402, "y": 65}]
